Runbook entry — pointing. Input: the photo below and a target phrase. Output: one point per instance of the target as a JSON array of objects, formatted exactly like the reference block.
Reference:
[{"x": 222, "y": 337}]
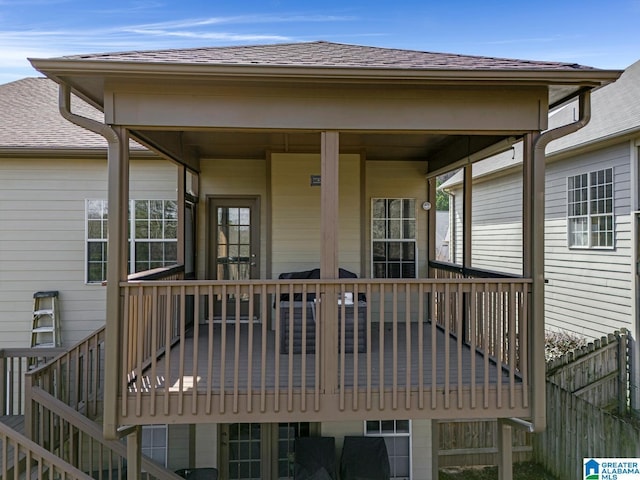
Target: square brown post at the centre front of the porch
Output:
[{"x": 329, "y": 255}]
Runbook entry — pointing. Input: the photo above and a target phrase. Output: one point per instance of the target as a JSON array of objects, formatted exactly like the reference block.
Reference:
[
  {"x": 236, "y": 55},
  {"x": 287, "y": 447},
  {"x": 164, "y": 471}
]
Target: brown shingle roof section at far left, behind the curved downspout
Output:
[{"x": 30, "y": 118}]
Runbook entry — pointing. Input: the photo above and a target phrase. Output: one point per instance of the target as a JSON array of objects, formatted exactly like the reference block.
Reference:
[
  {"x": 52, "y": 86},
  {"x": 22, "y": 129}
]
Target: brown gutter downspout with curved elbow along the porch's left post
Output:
[{"x": 114, "y": 194}]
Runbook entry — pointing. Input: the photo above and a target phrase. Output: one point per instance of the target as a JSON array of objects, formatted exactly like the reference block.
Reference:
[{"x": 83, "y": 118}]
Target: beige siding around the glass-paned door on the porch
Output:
[{"x": 221, "y": 177}]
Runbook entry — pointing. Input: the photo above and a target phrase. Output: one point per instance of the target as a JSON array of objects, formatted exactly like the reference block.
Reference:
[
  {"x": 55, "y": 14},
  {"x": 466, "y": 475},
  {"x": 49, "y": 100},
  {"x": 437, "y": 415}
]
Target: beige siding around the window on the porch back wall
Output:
[{"x": 395, "y": 179}]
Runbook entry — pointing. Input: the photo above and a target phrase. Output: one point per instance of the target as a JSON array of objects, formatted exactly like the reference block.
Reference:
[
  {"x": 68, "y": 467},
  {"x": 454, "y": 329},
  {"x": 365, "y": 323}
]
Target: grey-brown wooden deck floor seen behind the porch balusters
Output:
[{"x": 406, "y": 361}]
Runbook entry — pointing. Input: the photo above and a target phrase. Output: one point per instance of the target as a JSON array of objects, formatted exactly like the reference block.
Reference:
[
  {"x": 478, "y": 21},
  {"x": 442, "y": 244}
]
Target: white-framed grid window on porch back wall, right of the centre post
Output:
[{"x": 393, "y": 237}]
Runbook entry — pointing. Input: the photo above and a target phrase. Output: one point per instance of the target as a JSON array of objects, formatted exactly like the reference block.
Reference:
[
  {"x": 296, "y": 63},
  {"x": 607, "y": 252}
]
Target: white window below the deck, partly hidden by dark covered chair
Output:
[{"x": 397, "y": 437}]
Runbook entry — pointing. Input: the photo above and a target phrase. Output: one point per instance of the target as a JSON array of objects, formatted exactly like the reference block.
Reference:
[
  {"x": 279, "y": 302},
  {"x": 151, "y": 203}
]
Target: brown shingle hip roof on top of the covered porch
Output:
[{"x": 326, "y": 54}]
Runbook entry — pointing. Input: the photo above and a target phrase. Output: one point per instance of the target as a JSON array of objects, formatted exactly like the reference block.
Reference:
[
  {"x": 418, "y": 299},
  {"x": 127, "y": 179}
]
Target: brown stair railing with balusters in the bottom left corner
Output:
[{"x": 43, "y": 459}]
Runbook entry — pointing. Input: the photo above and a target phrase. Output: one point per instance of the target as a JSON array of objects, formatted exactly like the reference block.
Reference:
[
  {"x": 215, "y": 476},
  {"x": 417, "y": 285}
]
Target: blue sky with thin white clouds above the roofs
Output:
[{"x": 601, "y": 34}]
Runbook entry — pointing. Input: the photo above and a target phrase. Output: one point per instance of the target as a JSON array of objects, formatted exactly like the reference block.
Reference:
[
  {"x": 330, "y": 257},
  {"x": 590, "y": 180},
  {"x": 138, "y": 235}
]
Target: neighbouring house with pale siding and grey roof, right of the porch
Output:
[{"x": 592, "y": 205}]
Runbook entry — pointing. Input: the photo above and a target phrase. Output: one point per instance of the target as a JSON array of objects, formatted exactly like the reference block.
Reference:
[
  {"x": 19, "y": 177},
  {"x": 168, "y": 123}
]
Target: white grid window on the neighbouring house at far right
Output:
[{"x": 590, "y": 209}]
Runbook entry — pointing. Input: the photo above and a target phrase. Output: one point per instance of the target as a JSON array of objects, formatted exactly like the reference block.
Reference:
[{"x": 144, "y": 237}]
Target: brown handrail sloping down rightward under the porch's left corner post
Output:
[{"x": 93, "y": 430}]
